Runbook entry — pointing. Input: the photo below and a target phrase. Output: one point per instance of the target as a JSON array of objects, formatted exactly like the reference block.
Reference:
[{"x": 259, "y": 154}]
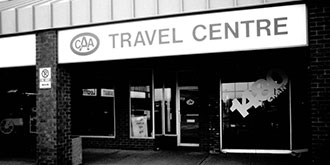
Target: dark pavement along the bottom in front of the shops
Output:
[{"x": 168, "y": 157}]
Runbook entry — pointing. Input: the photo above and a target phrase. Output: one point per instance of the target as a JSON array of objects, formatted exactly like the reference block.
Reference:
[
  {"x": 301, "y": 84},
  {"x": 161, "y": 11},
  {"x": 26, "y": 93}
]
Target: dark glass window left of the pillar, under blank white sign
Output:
[{"x": 18, "y": 102}]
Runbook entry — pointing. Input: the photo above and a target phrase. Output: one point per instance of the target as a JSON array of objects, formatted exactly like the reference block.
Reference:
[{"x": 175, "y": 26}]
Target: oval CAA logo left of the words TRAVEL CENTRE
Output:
[{"x": 84, "y": 44}]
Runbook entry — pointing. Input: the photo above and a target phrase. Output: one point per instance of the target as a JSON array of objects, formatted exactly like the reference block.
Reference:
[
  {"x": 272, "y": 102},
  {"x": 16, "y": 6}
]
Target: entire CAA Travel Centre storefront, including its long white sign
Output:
[{"x": 165, "y": 84}]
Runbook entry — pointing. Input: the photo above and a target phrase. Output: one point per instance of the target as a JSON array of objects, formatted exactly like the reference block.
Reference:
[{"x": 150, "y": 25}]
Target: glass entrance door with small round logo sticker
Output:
[{"x": 189, "y": 116}]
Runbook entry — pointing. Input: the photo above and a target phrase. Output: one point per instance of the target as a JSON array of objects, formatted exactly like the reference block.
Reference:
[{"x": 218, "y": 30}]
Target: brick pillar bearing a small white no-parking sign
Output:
[{"x": 53, "y": 105}]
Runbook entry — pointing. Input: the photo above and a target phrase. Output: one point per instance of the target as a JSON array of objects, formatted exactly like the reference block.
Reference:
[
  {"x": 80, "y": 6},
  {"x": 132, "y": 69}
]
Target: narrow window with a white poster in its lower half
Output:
[{"x": 141, "y": 112}]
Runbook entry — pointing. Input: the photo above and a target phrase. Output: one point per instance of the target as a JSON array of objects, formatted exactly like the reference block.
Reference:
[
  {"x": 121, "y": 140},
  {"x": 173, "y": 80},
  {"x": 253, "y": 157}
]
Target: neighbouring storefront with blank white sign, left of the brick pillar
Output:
[{"x": 18, "y": 96}]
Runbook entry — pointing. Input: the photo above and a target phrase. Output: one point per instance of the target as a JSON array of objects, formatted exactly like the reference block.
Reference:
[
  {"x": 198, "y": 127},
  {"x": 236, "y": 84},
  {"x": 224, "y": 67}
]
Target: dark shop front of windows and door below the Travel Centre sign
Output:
[{"x": 176, "y": 100}]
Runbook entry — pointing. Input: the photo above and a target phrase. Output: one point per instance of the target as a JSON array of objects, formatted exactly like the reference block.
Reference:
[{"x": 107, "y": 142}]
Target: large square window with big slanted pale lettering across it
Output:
[{"x": 256, "y": 111}]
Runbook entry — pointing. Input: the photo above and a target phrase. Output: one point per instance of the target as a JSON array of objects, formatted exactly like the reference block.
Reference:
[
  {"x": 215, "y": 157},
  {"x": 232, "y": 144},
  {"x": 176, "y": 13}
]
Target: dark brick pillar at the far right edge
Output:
[{"x": 319, "y": 41}]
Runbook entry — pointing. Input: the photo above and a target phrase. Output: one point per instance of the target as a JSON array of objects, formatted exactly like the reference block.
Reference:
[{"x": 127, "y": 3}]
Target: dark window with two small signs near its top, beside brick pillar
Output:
[{"x": 93, "y": 104}]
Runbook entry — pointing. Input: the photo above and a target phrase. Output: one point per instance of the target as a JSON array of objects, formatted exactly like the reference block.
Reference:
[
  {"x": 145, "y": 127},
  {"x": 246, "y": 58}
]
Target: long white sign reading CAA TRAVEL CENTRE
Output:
[{"x": 262, "y": 28}]
